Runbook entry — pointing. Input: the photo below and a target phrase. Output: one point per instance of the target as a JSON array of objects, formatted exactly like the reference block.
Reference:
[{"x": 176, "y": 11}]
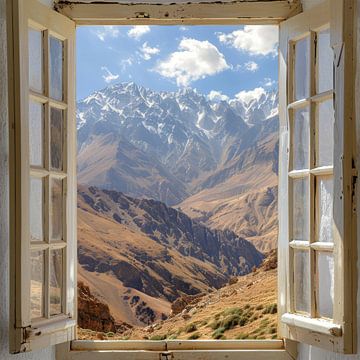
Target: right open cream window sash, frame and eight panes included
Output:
[{"x": 311, "y": 238}]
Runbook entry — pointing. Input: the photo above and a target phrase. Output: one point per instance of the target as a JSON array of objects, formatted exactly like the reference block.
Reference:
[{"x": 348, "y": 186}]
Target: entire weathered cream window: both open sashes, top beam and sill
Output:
[{"x": 316, "y": 176}]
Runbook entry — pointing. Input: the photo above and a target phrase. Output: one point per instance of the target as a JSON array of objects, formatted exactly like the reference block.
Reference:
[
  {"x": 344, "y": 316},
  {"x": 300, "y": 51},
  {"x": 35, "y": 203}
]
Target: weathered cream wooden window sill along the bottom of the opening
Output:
[{"x": 174, "y": 350}]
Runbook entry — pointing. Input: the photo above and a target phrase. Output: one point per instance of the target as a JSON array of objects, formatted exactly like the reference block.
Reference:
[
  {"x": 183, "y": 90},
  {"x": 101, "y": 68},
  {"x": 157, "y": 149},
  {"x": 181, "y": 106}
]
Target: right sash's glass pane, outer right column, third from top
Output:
[{"x": 324, "y": 208}]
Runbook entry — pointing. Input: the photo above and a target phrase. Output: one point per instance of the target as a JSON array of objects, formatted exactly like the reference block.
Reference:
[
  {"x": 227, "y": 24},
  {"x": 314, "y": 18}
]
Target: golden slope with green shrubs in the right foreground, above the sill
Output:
[{"x": 244, "y": 309}]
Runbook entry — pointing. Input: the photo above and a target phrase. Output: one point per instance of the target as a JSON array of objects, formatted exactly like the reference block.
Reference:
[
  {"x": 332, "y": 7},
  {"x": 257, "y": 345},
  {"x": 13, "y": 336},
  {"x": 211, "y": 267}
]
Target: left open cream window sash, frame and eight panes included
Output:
[{"x": 43, "y": 197}]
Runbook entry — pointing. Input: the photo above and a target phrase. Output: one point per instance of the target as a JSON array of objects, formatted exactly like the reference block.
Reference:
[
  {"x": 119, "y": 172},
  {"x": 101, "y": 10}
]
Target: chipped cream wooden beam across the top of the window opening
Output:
[{"x": 202, "y": 13}]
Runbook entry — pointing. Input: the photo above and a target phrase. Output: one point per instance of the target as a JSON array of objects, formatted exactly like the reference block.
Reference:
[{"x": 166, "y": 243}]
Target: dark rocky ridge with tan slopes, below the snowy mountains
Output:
[{"x": 140, "y": 255}]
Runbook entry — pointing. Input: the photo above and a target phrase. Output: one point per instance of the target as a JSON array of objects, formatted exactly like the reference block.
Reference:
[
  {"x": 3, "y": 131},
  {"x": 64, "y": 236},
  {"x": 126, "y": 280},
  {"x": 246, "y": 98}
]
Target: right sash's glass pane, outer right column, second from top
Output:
[{"x": 325, "y": 133}]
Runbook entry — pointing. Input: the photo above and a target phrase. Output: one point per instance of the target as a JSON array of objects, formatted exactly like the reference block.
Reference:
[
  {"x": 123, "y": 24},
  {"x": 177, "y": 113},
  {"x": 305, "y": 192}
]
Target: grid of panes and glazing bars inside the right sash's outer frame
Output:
[{"x": 310, "y": 157}]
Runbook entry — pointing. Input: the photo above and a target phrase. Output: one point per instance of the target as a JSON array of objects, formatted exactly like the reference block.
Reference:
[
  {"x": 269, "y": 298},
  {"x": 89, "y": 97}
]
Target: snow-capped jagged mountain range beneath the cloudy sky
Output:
[{"x": 181, "y": 137}]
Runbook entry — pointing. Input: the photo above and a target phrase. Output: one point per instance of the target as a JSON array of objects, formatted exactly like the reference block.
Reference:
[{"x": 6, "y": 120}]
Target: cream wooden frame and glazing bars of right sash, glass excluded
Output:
[{"x": 337, "y": 336}]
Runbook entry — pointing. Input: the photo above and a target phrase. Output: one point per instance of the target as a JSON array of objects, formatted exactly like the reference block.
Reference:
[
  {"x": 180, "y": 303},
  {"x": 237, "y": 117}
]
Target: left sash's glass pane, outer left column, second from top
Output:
[{"x": 36, "y": 129}]
